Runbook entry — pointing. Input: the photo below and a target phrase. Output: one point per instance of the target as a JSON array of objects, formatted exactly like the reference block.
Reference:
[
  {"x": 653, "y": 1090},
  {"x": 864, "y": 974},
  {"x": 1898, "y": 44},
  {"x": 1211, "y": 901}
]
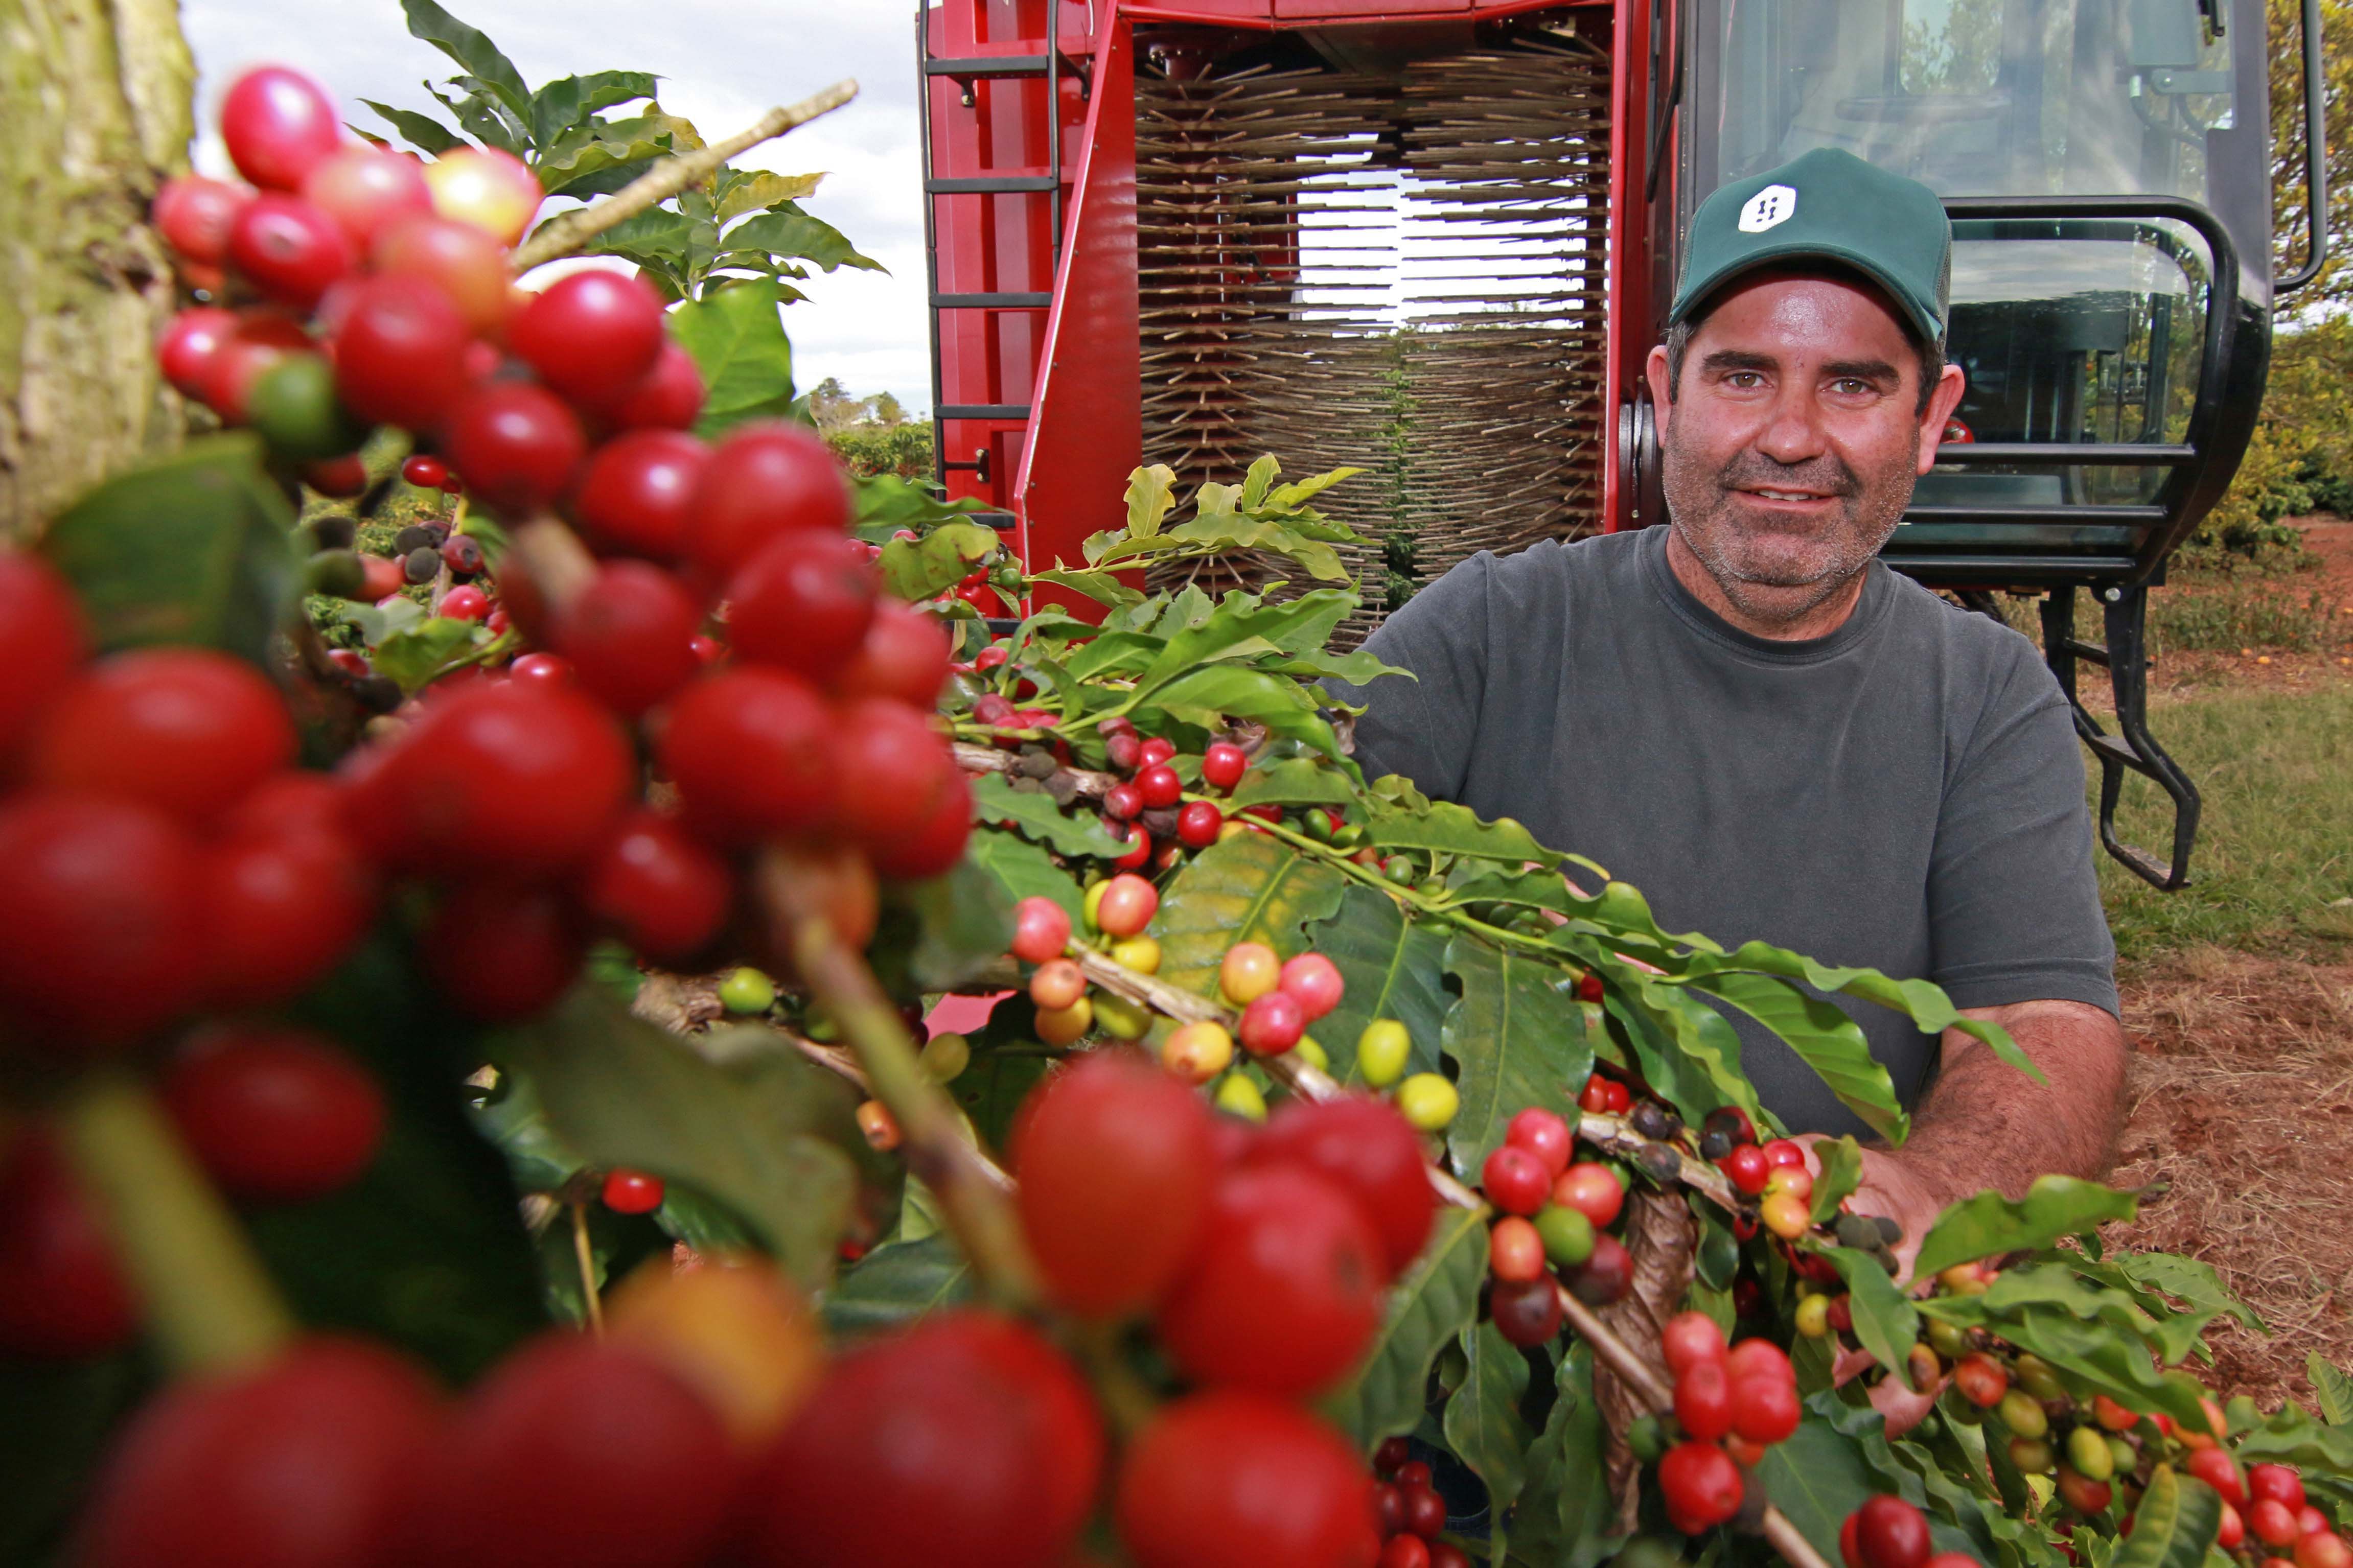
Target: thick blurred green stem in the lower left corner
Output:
[{"x": 208, "y": 1301}]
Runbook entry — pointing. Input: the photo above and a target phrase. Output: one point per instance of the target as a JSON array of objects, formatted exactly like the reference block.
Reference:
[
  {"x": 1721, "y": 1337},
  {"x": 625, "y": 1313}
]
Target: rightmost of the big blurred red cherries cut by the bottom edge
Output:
[{"x": 1232, "y": 1477}]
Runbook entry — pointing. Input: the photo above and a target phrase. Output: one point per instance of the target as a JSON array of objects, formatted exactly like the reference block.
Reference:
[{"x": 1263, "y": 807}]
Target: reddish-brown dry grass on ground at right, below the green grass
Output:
[{"x": 2244, "y": 1104}]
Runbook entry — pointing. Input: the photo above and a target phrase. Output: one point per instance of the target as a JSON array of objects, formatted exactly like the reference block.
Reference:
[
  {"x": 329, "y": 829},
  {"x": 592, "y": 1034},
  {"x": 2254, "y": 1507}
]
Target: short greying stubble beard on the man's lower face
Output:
[{"x": 1780, "y": 589}]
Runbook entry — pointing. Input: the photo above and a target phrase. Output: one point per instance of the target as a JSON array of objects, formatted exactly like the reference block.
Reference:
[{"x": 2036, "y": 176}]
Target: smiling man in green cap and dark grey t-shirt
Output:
[{"x": 1766, "y": 730}]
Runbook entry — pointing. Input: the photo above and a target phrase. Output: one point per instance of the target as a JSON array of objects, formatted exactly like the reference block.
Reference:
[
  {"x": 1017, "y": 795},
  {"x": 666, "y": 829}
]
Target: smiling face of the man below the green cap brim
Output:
[{"x": 1794, "y": 441}]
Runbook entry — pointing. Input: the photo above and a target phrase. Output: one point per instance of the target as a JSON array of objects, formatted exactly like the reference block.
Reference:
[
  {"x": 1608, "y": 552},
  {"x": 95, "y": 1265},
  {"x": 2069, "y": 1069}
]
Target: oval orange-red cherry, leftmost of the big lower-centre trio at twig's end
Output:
[{"x": 1116, "y": 1172}]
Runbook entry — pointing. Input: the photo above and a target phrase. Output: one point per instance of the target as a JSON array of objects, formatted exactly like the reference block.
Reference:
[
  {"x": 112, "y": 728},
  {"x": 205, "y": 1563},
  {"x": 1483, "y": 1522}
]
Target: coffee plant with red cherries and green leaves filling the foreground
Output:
[{"x": 662, "y": 1019}]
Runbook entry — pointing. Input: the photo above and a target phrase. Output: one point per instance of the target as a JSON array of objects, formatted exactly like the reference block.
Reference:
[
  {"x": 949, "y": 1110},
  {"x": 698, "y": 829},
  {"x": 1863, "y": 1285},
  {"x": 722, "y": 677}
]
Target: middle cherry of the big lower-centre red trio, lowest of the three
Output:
[{"x": 1284, "y": 1292}]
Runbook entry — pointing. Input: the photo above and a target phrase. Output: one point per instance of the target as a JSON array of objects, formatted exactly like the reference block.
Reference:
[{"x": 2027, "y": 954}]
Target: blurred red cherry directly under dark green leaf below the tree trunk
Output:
[{"x": 178, "y": 730}]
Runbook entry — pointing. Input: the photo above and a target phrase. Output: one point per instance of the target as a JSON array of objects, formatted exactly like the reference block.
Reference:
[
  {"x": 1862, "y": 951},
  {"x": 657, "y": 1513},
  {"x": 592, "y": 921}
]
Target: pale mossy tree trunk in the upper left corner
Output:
[{"x": 95, "y": 114}]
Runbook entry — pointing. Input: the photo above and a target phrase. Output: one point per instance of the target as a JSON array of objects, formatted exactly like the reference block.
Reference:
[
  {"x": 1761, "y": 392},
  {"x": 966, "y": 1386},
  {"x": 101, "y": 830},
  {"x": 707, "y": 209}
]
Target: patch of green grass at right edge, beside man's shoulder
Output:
[{"x": 2277, "y": 838}]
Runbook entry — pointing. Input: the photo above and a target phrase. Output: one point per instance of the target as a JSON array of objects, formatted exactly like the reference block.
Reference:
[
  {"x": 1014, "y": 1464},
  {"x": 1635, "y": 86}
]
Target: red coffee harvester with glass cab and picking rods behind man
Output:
[{"x": 1437, "y": 241}]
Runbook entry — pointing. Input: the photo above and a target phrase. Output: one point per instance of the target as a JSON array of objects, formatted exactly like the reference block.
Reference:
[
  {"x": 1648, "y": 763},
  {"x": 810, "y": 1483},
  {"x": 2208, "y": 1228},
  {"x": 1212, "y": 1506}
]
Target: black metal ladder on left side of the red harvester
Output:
[{"x": 968, "y": 74}]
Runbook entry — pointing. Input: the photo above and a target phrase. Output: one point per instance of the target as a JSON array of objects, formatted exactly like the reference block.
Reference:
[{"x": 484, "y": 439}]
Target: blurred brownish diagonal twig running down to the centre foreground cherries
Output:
[{"x": 971, "y": 1188}]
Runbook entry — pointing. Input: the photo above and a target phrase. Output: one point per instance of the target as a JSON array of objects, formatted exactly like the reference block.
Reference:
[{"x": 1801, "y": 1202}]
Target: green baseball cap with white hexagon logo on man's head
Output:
[{"x": 1827, "y": 206}]
